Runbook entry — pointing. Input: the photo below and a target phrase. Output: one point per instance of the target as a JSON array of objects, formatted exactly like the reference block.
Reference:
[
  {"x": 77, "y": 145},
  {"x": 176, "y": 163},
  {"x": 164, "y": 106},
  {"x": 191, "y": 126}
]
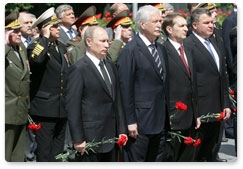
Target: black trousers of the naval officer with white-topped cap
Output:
[{"x": 50, "y": 138}]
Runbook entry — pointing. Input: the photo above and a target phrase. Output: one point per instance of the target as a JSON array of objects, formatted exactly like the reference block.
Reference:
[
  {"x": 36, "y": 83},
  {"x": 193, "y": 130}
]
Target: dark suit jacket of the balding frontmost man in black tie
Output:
[{"x": 93, "y": 114}]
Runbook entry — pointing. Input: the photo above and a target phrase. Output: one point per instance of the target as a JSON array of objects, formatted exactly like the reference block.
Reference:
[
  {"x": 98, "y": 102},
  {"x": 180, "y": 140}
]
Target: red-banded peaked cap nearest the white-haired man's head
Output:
[{"x": 122, "y": 19}]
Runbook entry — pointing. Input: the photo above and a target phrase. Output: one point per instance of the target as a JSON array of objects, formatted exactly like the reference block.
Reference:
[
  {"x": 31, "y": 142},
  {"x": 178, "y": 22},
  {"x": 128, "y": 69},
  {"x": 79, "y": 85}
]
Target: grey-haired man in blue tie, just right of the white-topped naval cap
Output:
[{"x": 66, "y": 14}]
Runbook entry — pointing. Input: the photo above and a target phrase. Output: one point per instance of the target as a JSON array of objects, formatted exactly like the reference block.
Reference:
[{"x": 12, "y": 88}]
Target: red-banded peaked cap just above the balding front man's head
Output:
[{"x": 87, "y": 17}]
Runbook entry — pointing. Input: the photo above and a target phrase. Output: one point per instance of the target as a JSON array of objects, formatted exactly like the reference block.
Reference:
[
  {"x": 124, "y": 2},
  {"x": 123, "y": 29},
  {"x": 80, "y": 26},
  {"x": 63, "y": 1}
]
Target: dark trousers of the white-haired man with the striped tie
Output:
[{"x": 145, "y": 148}]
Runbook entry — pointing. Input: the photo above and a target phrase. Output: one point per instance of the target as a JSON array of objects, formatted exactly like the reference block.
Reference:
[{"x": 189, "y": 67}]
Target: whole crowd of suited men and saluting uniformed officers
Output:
[{"x": 164, "y": 87}]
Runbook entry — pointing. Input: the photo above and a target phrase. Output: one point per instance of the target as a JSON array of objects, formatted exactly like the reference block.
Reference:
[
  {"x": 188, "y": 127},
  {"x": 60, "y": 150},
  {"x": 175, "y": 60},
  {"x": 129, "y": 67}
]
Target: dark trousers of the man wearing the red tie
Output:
[{"x": 177, "y": 151}]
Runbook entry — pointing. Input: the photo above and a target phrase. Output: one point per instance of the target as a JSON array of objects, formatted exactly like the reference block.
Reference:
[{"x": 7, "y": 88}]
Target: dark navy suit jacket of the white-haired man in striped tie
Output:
[{"x": 145, "y": 94}]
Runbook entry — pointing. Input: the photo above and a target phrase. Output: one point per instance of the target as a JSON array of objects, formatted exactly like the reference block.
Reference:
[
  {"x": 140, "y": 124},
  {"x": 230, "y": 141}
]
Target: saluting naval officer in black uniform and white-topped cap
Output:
[{"x": 48, "y": 67}]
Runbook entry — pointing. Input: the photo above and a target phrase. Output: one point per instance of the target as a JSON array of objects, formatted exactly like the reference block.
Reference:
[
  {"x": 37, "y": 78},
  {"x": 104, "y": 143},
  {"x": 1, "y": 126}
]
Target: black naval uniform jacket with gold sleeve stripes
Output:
[{"x": 48, "y": 67}]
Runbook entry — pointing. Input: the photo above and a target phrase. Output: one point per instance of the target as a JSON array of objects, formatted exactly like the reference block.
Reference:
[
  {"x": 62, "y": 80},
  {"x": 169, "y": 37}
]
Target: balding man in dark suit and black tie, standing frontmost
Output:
[{"x": 93, "y": 101}]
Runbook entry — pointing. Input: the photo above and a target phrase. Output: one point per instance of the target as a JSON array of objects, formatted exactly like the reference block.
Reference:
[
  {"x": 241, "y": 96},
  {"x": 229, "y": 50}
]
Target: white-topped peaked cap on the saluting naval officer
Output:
[{"x": 47, "y": 18}]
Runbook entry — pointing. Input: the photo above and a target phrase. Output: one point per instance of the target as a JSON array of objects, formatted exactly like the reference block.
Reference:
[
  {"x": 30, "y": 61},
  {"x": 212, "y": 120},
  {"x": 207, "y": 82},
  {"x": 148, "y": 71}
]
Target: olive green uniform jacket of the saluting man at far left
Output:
[{"x": 16, "y": 86}]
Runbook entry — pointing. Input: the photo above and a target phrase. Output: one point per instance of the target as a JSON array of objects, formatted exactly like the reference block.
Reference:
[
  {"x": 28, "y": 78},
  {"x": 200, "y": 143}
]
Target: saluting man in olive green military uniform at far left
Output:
[{"x": 16, "y": 90}]
